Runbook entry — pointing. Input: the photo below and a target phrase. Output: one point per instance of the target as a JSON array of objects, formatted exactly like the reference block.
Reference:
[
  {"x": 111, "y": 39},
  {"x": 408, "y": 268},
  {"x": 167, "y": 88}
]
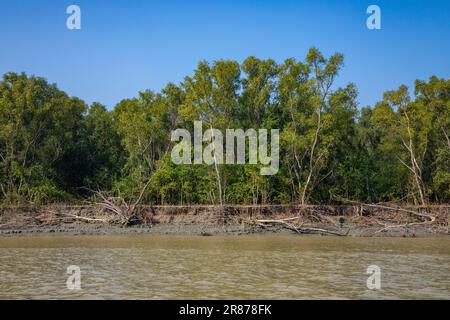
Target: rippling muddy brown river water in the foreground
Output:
[{"x": 254, "y": 267}]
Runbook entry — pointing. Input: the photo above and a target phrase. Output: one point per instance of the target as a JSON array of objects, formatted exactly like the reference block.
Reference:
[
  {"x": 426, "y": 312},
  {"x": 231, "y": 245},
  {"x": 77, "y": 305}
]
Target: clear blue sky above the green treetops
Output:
[{"x": 126, "y": 46}]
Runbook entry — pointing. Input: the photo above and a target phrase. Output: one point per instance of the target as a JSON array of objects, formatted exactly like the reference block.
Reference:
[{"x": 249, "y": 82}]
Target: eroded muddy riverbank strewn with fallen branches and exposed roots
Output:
[{"x": 354, "y": 221}]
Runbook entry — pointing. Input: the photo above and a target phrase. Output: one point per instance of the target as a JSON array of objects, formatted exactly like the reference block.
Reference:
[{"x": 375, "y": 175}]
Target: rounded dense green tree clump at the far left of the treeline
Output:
[{"x": 40, "y": 127}]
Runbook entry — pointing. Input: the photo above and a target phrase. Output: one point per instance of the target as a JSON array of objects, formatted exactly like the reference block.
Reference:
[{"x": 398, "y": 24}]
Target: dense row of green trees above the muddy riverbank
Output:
[{"x": 55, "y": 148}]
